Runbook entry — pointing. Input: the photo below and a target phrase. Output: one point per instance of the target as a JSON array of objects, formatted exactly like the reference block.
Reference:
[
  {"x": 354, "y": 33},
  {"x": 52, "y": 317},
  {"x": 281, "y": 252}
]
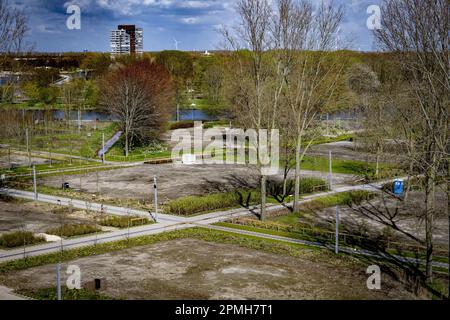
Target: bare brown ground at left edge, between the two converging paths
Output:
[{"x": 33, "y": 216}]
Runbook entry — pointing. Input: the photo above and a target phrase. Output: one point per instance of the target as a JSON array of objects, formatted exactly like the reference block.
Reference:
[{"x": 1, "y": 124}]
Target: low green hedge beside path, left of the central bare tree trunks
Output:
[{"x": 192, "y": 204}]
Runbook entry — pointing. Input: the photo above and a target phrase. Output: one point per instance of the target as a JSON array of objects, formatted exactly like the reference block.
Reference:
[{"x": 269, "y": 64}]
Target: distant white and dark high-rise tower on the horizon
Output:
[{"x": 127, "y": 39}]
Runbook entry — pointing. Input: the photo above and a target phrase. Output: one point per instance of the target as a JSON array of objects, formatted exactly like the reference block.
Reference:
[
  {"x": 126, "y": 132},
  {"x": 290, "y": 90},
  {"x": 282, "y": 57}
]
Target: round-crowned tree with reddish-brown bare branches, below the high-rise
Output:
[{"x": 139, "y": 95}]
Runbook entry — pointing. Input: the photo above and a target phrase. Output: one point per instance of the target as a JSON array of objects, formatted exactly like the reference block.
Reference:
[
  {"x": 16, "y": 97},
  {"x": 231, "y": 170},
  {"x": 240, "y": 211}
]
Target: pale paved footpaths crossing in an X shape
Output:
[{"x": 167, "y": 223}]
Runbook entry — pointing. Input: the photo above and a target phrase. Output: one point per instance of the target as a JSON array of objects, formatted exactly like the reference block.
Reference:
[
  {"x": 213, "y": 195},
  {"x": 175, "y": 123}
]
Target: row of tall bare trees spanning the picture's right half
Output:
[{"x": 284, "y": 72}]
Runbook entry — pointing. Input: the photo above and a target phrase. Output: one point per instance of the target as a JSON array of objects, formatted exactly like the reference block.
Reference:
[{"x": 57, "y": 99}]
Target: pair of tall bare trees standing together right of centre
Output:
[{"x": 283, "y": 72}]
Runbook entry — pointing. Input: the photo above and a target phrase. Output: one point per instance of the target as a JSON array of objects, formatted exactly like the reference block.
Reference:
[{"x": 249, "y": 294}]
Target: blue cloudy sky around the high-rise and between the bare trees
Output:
[{"x": 192, "y": 22}]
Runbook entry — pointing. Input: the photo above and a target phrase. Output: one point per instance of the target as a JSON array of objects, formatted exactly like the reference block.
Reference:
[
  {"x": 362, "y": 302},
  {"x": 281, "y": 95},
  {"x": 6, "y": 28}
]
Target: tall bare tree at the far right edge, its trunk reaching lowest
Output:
[{"x": 417, "y": 32}]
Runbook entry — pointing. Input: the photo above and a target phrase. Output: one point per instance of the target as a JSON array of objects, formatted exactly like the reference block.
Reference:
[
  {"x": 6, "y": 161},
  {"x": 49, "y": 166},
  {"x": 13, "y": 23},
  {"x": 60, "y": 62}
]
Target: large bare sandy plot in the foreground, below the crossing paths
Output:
[{"x": 193, "y": 269}]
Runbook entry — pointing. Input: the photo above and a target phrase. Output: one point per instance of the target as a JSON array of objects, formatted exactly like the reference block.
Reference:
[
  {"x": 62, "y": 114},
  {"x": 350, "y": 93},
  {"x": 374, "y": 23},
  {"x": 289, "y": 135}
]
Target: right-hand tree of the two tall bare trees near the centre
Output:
[{"x": 304, "y": 38}]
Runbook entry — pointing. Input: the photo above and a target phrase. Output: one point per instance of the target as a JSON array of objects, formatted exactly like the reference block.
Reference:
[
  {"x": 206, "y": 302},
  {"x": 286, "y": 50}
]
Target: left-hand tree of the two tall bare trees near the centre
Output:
[{"x": 250, "y": 74}]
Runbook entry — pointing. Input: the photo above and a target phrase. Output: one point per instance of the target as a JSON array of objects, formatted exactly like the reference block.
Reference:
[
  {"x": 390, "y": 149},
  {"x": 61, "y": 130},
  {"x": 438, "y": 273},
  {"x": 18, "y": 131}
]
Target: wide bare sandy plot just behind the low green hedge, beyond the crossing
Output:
[{"x": 174, "y": 181}]
